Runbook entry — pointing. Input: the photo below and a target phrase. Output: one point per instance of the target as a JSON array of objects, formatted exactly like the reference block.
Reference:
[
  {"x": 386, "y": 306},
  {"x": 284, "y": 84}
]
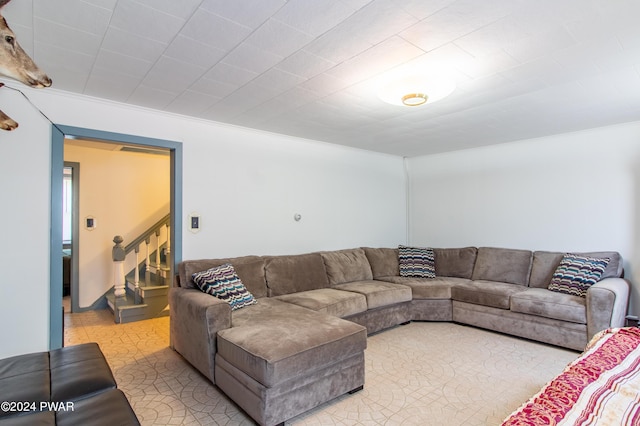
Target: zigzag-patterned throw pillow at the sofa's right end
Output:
[{"x": 576, "y": 274}]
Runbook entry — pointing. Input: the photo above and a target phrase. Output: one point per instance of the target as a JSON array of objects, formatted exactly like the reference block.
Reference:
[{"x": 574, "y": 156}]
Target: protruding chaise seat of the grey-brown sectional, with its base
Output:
[{"x": 280, "y": 360}]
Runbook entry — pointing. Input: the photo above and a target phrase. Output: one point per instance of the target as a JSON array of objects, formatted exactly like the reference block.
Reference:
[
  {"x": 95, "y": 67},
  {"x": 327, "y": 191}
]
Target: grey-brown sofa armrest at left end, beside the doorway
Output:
[{"x": 196, "y": 318}]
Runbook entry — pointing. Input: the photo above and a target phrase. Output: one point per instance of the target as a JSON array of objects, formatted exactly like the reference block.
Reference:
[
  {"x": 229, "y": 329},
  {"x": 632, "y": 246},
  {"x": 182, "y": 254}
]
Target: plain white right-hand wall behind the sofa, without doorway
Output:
[{"x": 571, "y": 192}]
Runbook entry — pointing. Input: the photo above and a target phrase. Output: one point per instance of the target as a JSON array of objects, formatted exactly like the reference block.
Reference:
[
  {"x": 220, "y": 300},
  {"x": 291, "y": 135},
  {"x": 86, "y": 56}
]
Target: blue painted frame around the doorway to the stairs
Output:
[{"x": 58, "y": 134}]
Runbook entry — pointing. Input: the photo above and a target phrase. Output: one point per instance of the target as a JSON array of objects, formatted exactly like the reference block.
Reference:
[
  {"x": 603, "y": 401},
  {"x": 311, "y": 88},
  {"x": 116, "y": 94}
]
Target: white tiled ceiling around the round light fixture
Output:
[{"x": 311, "y": 68}]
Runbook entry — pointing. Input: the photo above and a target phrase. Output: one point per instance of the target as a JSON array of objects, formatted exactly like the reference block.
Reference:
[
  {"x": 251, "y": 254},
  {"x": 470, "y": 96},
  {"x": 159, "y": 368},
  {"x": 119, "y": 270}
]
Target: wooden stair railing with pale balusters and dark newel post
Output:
[{"x": 120, "y": 253}]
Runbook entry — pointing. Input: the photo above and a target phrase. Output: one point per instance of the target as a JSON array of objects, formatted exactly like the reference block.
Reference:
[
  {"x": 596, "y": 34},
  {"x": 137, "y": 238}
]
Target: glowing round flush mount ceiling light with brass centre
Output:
[{"x": 416, "y": 89}]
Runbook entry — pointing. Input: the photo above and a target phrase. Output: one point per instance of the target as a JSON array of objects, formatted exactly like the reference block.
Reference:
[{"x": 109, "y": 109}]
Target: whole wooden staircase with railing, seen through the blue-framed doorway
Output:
[{"x": 141, "y": 293}]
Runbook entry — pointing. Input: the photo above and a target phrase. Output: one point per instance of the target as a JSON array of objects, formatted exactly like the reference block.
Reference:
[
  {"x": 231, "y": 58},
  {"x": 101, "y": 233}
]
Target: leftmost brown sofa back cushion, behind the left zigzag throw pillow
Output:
[{"x": 250, "y": 270}]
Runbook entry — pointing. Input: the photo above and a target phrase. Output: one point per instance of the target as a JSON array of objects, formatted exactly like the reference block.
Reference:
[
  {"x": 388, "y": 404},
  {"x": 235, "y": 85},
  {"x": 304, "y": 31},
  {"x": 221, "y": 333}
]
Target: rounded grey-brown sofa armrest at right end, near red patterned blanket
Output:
[{"x": 606, "y": 305}]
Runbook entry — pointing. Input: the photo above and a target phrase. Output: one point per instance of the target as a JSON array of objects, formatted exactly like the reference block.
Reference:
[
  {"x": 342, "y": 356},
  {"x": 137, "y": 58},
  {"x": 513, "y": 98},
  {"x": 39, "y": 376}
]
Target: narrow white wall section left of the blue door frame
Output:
[{"x": 24, "y": 259}]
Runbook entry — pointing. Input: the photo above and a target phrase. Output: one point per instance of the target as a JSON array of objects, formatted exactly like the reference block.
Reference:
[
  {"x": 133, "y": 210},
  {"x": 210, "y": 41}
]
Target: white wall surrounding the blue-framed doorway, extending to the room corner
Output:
[{"x": 246, "y": 185}]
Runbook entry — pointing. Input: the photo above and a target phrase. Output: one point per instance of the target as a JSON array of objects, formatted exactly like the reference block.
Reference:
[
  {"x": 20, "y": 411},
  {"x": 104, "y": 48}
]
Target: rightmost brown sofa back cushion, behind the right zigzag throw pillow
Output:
[{"x": 545, "y": 264}]
